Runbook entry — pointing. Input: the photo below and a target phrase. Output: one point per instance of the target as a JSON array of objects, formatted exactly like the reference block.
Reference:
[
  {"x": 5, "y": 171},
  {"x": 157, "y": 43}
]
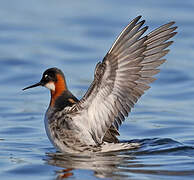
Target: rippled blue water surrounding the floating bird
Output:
[{"x": 74, "y": 36}]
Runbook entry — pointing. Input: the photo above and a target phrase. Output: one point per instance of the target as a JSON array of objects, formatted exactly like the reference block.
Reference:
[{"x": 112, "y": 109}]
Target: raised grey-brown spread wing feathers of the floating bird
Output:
[{"x": 123, "y": 76}]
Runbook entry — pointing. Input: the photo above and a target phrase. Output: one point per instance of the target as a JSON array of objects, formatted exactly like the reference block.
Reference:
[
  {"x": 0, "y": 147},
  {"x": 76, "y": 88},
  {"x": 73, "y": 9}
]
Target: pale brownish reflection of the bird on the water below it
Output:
[{"x": 103, "y": 165}]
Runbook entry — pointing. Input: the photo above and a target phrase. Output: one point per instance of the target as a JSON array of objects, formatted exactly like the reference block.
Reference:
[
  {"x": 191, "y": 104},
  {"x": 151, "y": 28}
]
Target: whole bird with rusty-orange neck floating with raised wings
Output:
[{"x": 92, "y": 123}]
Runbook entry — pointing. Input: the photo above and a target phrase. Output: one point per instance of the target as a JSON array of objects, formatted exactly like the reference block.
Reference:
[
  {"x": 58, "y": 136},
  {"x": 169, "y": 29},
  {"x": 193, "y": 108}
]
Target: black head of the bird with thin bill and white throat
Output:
[{"x": 49, "y": 78}]
